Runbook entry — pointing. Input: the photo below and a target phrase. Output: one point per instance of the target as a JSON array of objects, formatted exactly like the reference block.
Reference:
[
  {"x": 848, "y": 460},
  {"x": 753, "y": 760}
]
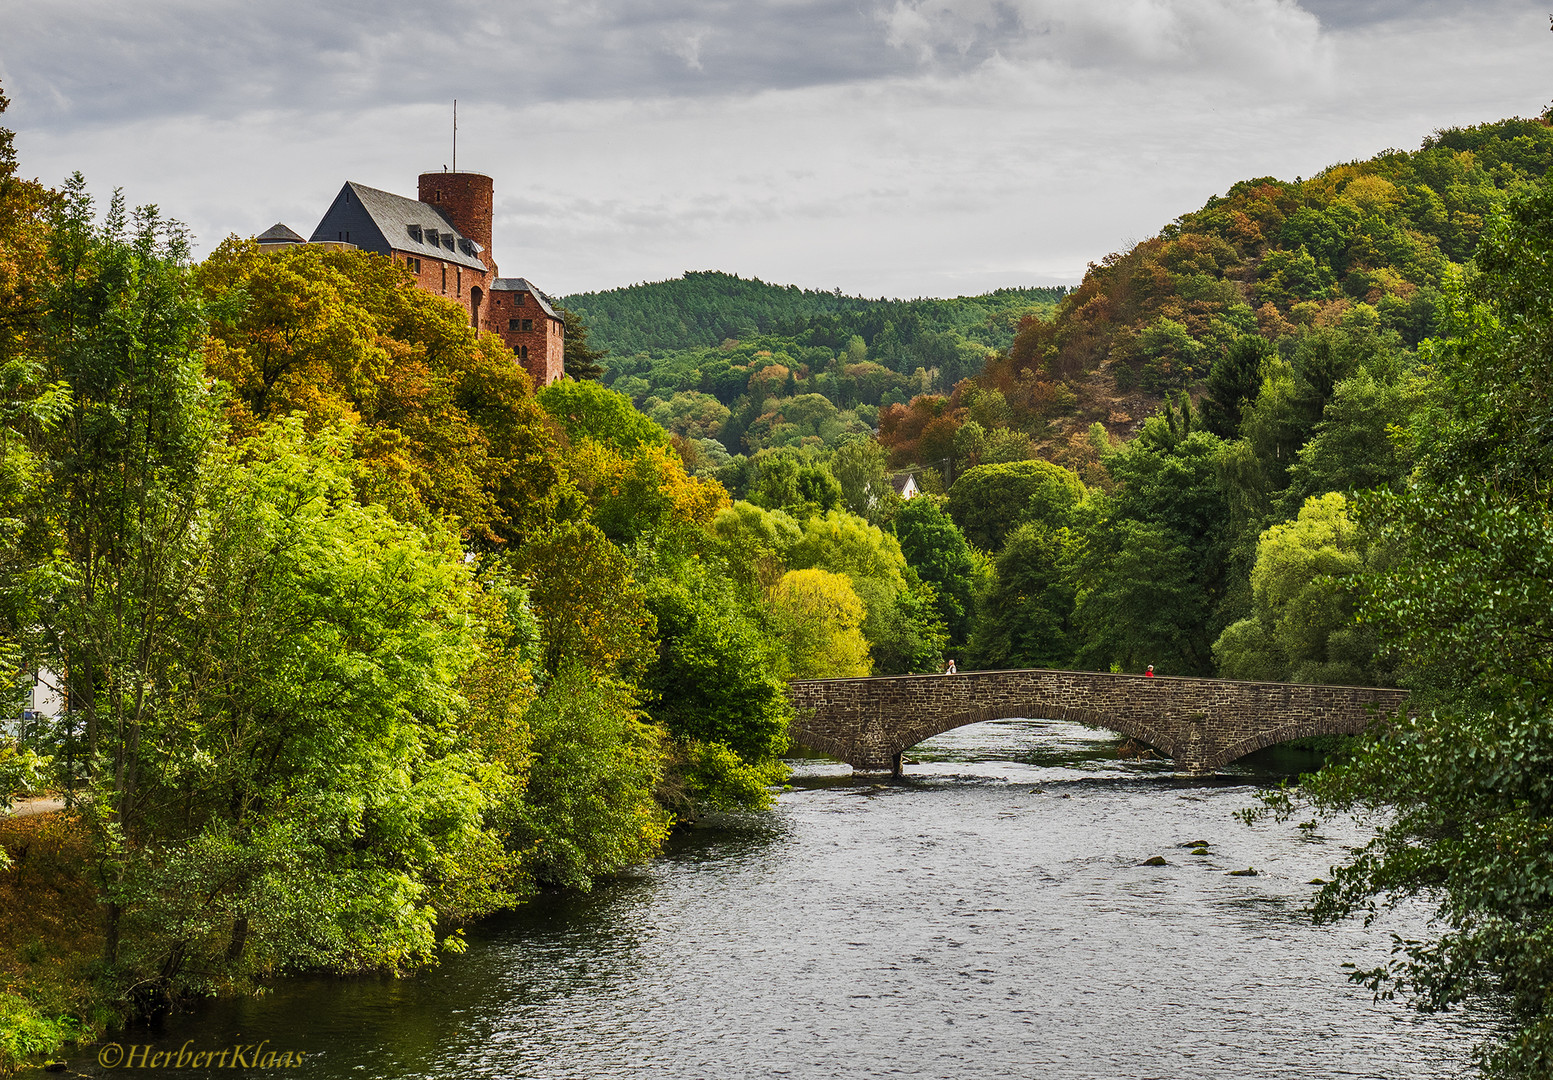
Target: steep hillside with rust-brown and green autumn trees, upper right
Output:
[{"x": 1360, "y": 251}]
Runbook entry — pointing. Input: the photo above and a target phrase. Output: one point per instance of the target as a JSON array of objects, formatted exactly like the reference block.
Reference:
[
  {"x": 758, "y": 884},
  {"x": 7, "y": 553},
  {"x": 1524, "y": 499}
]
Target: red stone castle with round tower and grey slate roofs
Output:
[{"x": 443, "y": 239}]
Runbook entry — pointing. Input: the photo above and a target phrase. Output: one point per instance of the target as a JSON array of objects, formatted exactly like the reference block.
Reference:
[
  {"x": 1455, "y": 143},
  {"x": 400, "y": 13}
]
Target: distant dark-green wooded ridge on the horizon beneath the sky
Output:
[{"x": 706, "y": 308}]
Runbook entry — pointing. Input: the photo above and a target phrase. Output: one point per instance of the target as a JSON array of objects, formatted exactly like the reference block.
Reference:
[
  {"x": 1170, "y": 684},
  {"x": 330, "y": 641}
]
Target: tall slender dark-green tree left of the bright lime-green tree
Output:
[{"x": 122, "y": 330}]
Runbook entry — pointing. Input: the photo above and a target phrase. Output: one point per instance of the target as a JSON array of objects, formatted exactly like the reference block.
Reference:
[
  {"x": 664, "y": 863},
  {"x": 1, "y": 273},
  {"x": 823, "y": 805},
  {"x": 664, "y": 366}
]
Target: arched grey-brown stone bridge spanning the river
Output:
[{"x": 1201, "y": 723}]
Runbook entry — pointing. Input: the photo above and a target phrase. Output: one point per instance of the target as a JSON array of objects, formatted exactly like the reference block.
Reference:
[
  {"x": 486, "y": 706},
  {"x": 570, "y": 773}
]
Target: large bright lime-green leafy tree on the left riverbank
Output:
[{"x": 294, "y": 790}]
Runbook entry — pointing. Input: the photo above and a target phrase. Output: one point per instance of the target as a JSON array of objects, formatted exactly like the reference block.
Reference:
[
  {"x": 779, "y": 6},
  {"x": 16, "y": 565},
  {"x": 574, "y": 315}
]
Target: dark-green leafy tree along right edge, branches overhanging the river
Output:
[{"x": 1465, "y": 778}]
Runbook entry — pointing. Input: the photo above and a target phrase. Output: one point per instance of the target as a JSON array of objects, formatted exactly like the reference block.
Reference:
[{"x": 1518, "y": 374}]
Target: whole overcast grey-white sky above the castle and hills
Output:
[{"x": 884, "y": 147}]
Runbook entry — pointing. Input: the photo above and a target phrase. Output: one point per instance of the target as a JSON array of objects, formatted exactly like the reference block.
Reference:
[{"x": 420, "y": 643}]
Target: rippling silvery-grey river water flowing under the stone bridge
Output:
[{"x": 987, "y": 918}]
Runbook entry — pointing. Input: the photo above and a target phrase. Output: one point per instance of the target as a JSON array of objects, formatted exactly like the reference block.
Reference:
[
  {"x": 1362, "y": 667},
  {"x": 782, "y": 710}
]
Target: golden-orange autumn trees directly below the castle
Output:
[{"x": 448, "y": 420}]
